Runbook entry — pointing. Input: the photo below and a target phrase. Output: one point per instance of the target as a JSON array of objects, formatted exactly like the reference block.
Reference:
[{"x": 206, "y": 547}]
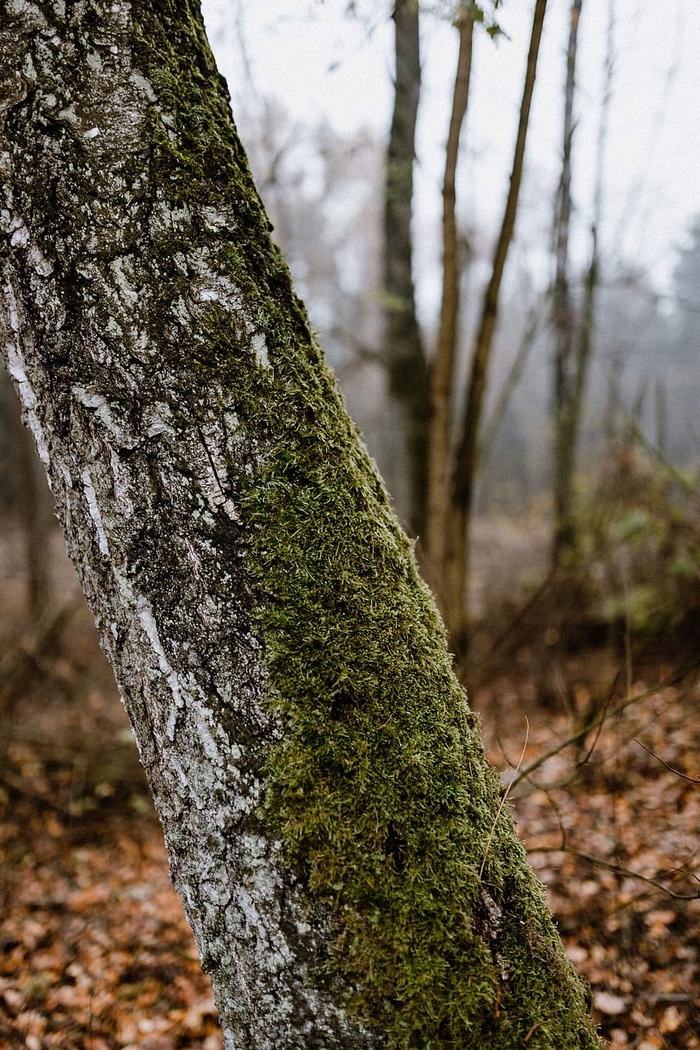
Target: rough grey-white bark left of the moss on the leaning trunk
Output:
[{"x": 107, "y": 277}]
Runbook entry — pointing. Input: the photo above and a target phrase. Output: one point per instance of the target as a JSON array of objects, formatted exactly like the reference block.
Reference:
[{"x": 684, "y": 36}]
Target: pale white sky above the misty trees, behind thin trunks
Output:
[{"x": 319, "y": 62}]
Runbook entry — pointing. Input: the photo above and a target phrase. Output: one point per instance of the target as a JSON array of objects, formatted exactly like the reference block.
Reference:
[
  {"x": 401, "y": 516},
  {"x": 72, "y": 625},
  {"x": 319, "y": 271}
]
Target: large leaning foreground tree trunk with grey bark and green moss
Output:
[{"x": 340, "y": 842}]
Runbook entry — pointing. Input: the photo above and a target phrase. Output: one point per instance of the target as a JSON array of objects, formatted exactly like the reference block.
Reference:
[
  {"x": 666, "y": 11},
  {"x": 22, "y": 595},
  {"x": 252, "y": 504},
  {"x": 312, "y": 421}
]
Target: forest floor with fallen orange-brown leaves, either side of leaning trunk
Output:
[{"x": 95, "y": 952}]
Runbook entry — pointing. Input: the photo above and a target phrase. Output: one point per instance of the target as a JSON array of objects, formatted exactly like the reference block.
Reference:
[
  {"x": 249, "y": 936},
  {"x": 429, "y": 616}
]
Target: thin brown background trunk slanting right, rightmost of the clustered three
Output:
[{"x": 466, "y": 461}]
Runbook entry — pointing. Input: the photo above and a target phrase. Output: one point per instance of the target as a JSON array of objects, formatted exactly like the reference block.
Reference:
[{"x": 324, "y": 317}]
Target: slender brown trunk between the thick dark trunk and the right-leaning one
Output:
[{"x": 442, "y": 375}]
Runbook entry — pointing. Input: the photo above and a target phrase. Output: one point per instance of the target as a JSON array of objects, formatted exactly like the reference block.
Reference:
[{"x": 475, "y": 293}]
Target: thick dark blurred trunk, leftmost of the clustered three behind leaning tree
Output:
[{"x": 404, "y": 345}]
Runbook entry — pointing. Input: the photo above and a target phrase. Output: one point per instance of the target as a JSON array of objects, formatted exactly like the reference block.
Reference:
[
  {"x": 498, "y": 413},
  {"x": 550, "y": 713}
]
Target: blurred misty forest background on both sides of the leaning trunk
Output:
[{"x": 516, "y": 327}]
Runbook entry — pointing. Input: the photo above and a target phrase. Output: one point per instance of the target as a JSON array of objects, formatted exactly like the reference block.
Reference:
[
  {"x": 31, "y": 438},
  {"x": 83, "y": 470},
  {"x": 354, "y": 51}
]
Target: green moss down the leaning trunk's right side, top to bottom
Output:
[{"x": 379, "y": 790}]
